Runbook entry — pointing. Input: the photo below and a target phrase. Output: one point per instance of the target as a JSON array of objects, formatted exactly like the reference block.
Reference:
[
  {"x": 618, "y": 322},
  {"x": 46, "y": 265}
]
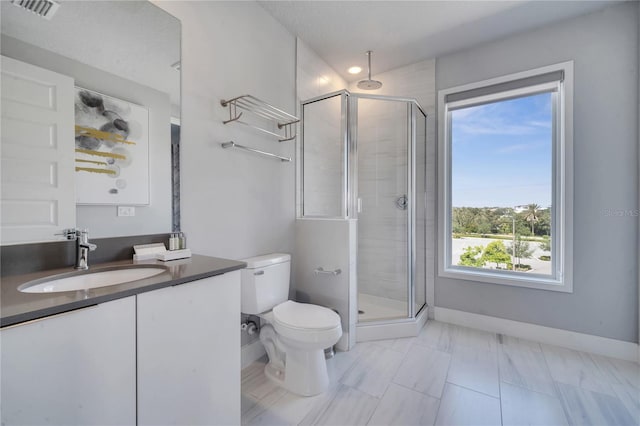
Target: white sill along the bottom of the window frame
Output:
[{"x": 525, "y": 280}]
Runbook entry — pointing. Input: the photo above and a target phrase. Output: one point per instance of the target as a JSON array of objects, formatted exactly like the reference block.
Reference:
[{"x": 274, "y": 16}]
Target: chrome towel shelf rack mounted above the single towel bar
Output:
[{"x": 248, "y": 103}]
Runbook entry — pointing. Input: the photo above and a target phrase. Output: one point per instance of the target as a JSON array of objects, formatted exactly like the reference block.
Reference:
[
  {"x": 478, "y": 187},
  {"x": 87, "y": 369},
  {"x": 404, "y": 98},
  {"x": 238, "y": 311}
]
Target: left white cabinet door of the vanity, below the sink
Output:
[{"x": 76, "y": 368}]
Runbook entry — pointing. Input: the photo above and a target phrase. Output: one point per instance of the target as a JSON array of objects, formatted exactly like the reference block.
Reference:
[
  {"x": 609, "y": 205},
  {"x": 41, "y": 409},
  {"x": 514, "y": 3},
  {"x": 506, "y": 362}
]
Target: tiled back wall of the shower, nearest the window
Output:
[{"x": 382, "y": 243}]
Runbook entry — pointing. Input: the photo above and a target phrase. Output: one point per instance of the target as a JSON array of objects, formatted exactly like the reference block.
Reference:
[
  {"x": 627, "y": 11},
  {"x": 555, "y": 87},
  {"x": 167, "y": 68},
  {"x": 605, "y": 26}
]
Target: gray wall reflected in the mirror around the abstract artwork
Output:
[{"x": 102, "y": 221}]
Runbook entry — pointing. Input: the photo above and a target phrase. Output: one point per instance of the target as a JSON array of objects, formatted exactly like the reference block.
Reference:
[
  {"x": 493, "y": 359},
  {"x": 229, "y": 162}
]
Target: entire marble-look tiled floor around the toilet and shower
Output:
[{"x": 397, "y": 381}]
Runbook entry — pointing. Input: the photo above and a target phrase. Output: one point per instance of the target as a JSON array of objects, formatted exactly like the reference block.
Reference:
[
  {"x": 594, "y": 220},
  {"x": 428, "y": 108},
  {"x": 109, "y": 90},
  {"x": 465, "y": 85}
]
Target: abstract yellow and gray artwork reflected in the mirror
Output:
[{"x": 112, "y": 150}]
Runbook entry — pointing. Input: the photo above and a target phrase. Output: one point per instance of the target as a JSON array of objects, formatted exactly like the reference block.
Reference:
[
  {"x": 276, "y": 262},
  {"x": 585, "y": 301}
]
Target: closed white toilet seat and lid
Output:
[{"x": 305, "y": 322}]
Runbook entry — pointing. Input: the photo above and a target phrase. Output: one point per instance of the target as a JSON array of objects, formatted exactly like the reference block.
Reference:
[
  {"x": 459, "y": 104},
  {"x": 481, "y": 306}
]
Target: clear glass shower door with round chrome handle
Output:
[{"x": 383, "y": 208}]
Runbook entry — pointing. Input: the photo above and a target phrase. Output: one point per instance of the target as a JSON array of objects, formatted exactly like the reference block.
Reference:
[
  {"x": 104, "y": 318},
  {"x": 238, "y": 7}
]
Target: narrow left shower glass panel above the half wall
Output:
[{"x": 324, "y": 158}]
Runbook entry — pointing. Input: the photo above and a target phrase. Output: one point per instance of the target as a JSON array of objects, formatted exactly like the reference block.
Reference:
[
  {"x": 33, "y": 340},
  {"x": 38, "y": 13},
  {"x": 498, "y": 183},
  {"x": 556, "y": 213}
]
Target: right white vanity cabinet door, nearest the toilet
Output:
[{"x": 189, "y": 353}]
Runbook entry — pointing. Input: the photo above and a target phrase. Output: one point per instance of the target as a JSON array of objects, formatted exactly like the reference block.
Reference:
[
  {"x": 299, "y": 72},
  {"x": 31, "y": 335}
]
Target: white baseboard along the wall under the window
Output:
[{"x": 552, "y": 336}]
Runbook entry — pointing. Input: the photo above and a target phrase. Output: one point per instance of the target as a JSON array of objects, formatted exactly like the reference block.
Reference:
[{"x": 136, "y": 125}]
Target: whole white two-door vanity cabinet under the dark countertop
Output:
[{"x": 167, "y": 356}]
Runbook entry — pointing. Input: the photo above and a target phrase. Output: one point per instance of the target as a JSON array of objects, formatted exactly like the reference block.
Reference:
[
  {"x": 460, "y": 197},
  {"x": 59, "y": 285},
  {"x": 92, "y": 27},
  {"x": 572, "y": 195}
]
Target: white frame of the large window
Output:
[{"x": 503, "y": 88}]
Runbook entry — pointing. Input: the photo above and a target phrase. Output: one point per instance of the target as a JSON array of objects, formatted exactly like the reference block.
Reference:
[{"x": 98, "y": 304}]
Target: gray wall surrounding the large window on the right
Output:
[{"x": 605, "y": 297}]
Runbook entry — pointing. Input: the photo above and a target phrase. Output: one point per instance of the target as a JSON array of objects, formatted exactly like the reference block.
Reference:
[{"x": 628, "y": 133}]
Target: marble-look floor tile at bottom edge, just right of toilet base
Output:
[{"x": 349, "y": 407}]
